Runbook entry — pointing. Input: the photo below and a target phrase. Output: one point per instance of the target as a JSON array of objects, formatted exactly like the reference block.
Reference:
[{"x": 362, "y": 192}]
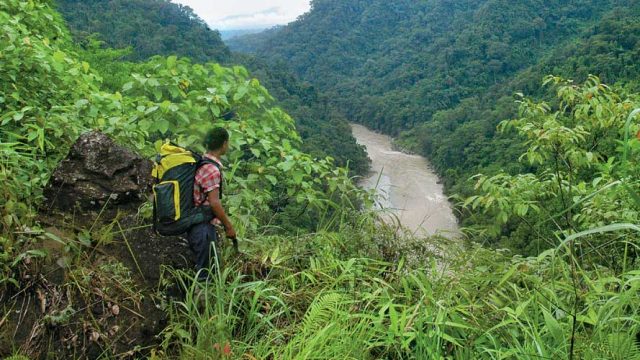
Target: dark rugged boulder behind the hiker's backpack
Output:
[{"x": 95, "y": 170}]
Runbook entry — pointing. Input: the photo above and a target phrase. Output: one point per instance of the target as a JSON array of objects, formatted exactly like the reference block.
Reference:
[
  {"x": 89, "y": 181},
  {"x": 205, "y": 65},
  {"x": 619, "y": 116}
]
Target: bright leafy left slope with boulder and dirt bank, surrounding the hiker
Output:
[{"x": 67, "y": 252}]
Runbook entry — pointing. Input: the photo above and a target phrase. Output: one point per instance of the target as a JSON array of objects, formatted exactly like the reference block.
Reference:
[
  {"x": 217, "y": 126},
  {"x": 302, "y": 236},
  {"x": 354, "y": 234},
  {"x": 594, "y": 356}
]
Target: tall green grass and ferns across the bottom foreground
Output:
[{"x": 328, "y": 299}]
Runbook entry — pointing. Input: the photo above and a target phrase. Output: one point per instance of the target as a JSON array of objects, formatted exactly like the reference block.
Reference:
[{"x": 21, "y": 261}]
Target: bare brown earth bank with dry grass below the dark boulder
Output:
[{"x": 107, "y": 301}]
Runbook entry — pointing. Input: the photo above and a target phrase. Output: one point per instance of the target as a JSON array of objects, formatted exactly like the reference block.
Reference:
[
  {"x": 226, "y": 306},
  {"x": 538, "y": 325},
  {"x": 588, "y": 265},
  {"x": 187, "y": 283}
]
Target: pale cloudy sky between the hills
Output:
[{"x": 246, "y": 14}]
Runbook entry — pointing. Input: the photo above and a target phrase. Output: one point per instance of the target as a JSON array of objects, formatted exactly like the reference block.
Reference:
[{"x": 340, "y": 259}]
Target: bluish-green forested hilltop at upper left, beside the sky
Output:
[{"x": 164, "y": 29}]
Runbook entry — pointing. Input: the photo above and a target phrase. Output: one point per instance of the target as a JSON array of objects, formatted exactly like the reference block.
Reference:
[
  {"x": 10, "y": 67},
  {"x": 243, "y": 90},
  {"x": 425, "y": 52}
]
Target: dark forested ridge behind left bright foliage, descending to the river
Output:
[{"x": 153, "y": 27}]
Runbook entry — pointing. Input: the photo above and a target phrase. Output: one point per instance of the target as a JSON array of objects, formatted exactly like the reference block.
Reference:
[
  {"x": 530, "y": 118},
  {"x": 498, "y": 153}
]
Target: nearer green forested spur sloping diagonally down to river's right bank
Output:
[{"x": 467, "y": 140}]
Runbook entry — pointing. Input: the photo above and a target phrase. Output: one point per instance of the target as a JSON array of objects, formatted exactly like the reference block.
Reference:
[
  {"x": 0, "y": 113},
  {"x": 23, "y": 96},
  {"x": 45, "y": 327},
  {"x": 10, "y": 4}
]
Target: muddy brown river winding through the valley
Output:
[{"x": 407, "y": 186}]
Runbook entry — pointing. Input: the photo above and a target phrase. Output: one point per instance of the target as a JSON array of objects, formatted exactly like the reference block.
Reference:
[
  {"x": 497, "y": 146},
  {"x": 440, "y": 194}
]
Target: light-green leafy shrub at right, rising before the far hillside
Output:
[{"x": 583, "y": 154}]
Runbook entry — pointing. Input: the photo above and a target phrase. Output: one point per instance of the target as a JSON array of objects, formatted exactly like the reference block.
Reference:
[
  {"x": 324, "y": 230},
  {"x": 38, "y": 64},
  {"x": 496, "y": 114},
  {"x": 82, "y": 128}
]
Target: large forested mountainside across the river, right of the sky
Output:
[{"x": 443, "y": 75}]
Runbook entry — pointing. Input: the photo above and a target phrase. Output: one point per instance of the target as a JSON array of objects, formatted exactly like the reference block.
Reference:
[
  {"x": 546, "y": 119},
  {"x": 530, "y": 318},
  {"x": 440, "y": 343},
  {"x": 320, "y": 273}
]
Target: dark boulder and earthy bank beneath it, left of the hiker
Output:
[{"x": 98, "y": 292}]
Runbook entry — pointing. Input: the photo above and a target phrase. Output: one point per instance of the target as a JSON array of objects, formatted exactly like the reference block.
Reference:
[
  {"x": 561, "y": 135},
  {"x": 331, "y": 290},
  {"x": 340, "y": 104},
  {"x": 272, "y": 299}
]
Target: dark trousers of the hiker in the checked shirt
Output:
[{"x": 202, "y": 239}]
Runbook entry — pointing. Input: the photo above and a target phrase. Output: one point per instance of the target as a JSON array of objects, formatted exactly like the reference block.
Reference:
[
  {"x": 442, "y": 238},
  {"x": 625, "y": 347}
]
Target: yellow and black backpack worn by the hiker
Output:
[{"x": 174, "y": 211}]
